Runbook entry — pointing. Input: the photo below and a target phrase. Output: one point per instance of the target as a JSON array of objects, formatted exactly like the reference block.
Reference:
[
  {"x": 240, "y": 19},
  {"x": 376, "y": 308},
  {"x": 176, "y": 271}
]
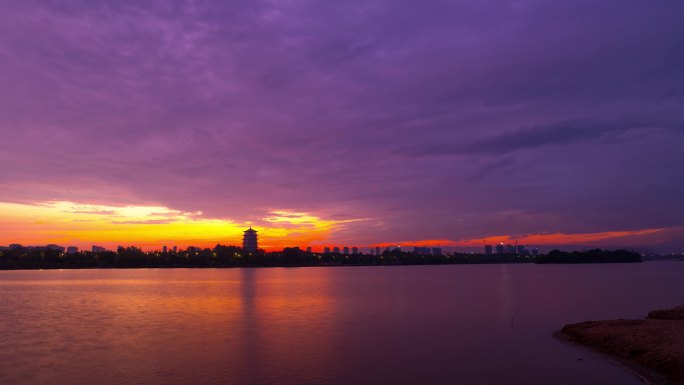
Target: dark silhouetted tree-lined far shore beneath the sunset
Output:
[{"x": 231, "y": 257}]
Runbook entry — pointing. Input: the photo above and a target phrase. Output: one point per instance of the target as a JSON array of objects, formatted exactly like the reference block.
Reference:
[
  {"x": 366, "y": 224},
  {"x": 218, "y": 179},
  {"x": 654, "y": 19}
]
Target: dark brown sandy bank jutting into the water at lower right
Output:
[{"x": 652, "y": 347}]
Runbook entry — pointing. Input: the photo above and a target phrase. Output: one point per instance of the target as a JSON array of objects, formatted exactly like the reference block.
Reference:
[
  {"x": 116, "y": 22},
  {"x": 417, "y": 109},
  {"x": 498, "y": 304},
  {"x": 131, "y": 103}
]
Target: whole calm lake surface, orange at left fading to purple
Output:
[{"x": 469, "y": 324}]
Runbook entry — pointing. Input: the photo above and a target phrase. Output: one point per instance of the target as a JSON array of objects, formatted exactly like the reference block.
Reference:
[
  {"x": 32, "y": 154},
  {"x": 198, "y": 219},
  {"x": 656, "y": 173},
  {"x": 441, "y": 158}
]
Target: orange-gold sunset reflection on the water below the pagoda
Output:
[{"x": 139, "y": 321}]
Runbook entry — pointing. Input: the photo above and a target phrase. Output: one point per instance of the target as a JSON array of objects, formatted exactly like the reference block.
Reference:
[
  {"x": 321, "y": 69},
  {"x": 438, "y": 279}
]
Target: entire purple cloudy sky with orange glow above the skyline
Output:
[{"x": 342, "y": 123}]
